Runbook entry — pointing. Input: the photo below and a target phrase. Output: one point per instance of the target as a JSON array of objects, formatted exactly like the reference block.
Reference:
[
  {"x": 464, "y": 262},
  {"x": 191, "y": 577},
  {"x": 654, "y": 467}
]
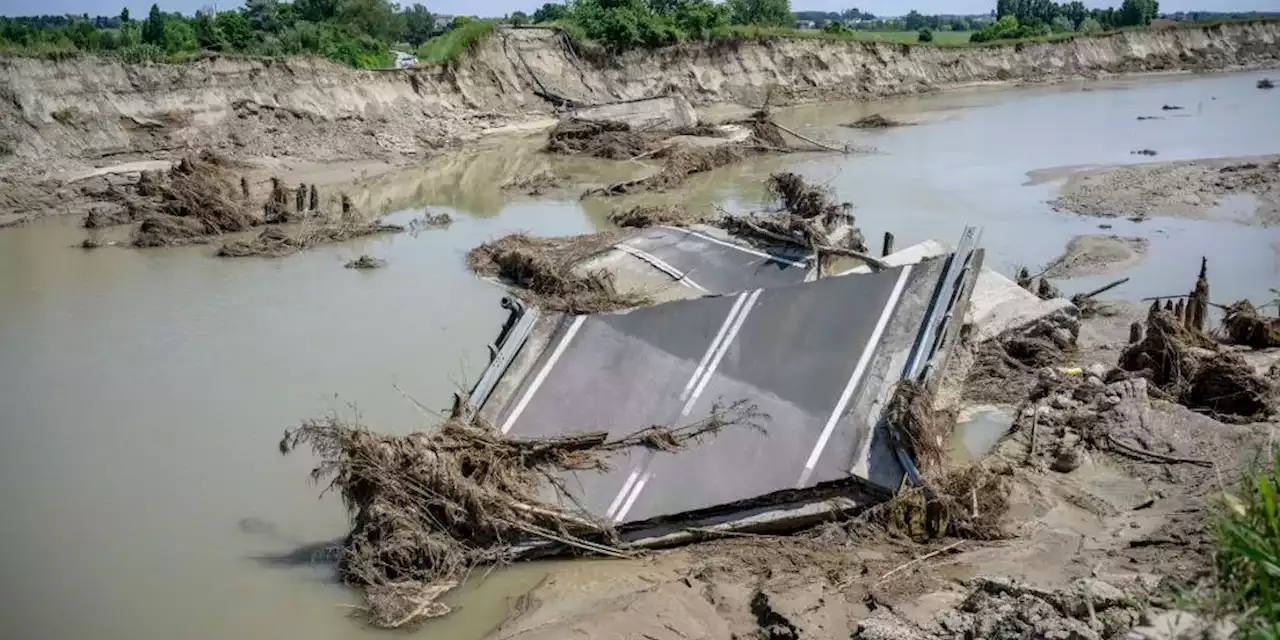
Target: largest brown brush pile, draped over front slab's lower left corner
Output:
[{"x": 431, "y": 506}]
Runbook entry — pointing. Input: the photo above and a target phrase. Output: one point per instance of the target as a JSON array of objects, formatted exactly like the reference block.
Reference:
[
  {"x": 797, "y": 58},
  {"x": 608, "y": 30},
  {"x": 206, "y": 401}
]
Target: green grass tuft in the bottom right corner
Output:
[{"x": 1249, "y": 552}]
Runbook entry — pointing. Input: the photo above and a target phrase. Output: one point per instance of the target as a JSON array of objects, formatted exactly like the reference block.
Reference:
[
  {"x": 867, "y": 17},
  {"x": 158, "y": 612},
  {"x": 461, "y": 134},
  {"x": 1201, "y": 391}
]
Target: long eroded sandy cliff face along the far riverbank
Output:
[{"x": 56, "y": 115}]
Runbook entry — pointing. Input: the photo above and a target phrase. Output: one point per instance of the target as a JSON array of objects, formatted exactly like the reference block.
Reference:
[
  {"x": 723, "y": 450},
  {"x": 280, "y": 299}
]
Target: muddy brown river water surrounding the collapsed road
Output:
[{"x": 143, "y": 392}]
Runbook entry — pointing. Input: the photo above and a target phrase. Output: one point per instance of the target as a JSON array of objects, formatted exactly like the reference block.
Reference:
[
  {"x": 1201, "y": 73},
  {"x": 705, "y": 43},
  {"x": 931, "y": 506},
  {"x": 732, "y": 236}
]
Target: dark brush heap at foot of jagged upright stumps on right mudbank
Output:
[{"x": 1191, "y": 369}]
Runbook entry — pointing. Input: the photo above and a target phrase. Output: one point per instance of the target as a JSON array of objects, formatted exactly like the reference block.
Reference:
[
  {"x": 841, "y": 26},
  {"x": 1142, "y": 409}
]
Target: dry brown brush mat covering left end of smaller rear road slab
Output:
[{"x": 543, "y": 272}]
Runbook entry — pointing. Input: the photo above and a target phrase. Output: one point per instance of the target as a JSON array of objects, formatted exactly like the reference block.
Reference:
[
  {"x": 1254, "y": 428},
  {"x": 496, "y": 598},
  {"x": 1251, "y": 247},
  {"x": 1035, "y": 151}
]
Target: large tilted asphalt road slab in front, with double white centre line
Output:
[{"x": 821, "y": 359}]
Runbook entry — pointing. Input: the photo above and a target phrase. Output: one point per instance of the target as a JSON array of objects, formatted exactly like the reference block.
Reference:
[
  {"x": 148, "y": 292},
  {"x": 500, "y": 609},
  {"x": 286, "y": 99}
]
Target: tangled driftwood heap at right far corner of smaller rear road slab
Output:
[{"x": 811, "y": 220}]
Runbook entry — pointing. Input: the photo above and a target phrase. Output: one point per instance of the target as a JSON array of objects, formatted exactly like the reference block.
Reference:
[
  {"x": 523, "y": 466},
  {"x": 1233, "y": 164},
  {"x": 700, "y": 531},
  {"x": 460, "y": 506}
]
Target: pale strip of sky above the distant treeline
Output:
[{"x": 504, "y": 7}]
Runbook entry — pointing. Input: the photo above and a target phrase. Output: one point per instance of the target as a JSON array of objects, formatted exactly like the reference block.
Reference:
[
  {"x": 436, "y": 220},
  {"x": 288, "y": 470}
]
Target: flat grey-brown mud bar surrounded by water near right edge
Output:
[{"x": 1183, "y": 190}]
